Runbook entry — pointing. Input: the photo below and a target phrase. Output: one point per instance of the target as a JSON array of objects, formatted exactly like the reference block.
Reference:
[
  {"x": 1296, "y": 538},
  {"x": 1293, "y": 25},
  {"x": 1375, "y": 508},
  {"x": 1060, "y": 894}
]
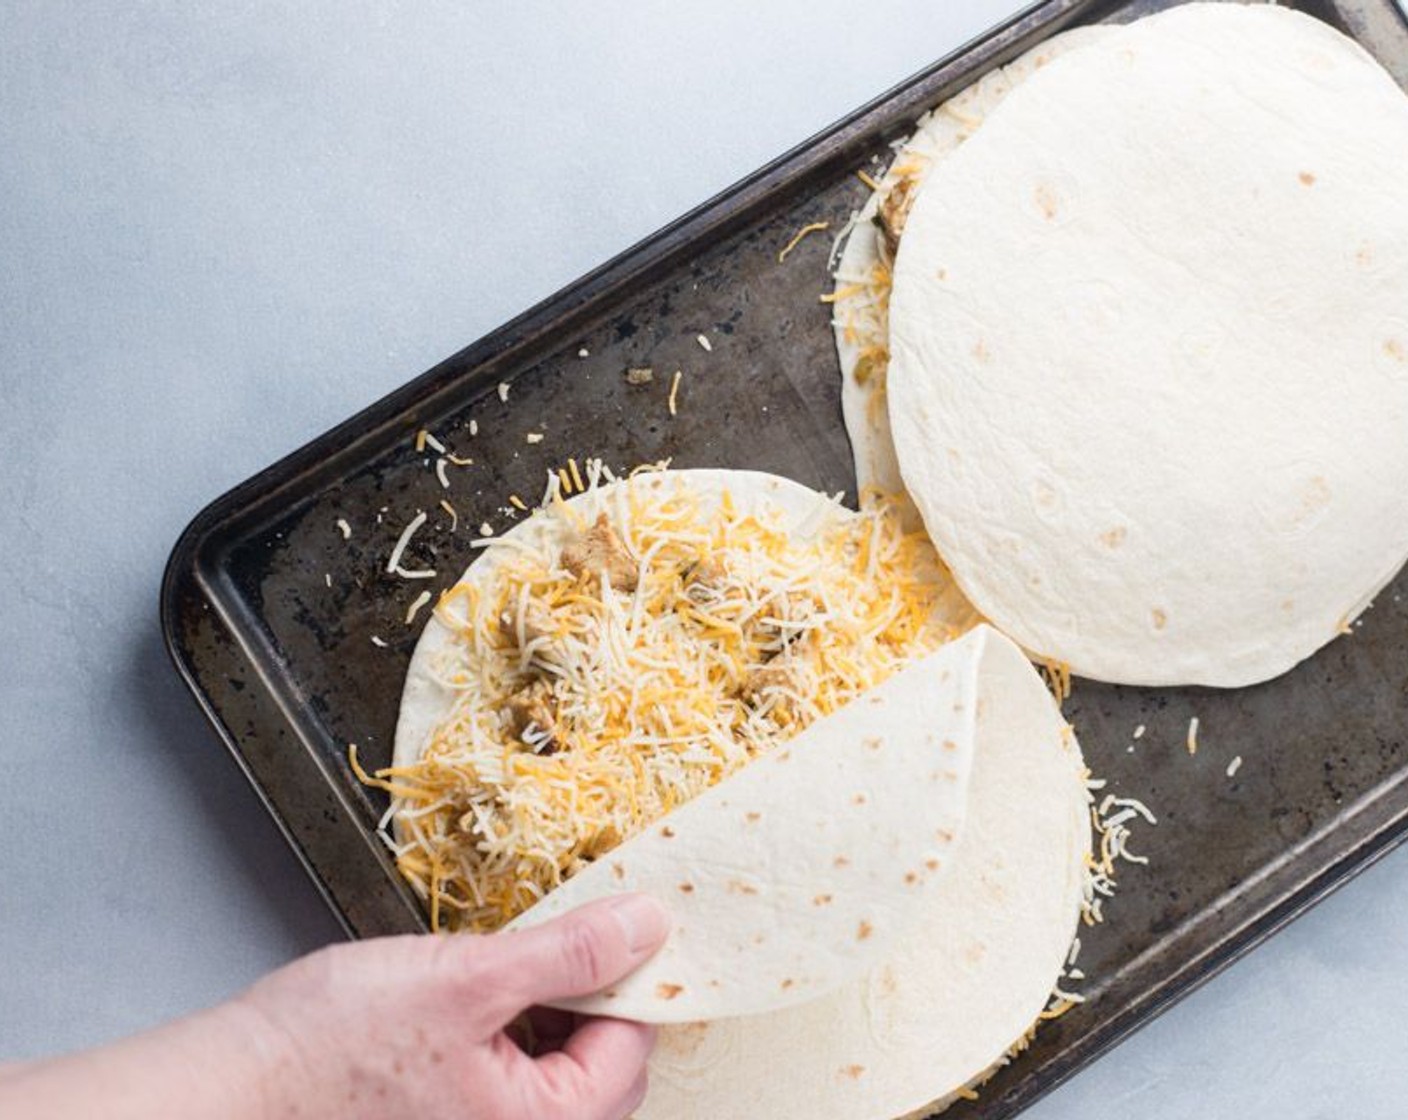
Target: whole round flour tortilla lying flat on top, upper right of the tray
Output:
[{"x": 1150, "y": 375}]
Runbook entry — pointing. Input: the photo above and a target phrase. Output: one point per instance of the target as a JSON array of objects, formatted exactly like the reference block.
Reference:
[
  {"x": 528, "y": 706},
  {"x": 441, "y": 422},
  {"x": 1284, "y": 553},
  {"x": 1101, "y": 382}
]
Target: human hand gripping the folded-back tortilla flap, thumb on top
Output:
[{"x": 419, "y": 1026}]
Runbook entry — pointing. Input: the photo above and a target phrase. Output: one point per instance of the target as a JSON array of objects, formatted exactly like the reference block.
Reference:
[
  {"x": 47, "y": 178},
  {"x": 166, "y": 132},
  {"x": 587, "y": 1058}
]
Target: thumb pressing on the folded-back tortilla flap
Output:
[{"x": 577, "y": 954}]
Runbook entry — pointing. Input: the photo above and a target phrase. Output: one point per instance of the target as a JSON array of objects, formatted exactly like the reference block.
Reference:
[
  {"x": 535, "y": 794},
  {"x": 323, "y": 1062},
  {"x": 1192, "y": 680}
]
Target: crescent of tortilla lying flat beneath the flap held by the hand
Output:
[{"x": 962, "y": 987}]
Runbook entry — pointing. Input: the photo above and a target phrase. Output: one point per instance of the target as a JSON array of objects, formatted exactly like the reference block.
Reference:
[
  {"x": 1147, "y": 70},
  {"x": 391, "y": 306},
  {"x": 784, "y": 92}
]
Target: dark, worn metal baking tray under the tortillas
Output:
[{"x": 270, "y": 614}]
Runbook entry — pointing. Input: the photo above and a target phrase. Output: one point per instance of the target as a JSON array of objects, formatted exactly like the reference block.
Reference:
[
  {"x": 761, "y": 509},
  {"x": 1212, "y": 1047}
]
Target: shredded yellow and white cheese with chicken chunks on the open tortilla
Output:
[{"x": 595, "y": 701}]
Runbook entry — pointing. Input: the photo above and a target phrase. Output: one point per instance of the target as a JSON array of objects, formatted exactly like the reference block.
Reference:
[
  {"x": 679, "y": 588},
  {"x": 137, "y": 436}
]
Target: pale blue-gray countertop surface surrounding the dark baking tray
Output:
[{"x": 226, "y": 228}]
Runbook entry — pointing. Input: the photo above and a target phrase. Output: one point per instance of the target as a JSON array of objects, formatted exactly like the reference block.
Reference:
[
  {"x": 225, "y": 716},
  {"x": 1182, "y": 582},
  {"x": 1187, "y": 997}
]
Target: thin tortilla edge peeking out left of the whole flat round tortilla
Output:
[{"x": 937, "y": 135}]
